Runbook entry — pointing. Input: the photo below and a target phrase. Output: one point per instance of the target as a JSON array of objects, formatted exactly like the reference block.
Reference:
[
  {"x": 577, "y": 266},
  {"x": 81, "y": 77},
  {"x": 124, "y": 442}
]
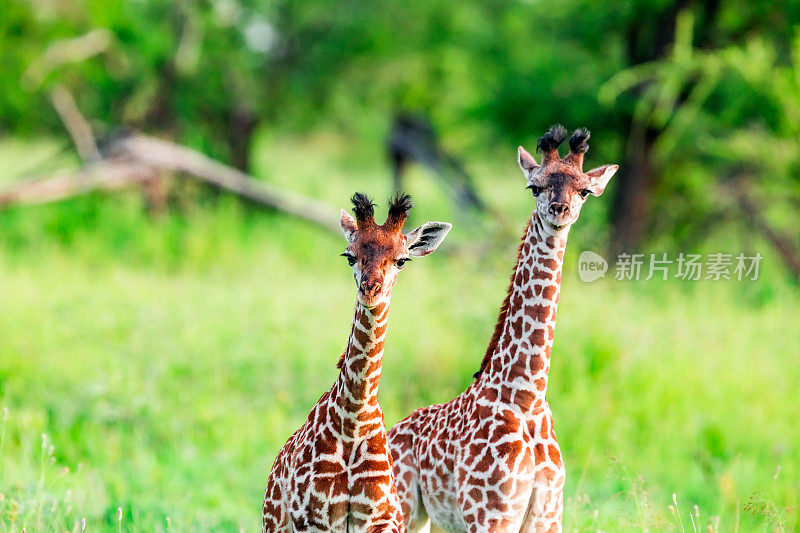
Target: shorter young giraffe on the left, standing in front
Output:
[{"x": 335, "y": 472}]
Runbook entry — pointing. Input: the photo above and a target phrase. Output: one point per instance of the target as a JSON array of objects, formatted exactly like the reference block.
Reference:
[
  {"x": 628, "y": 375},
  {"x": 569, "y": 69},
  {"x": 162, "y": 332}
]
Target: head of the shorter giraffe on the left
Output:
[{"x": 377, "y": 253}]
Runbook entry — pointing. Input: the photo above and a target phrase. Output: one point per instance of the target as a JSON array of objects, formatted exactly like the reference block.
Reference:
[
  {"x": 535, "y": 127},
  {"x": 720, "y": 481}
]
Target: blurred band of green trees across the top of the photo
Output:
[{"x": 680, "y": 93}]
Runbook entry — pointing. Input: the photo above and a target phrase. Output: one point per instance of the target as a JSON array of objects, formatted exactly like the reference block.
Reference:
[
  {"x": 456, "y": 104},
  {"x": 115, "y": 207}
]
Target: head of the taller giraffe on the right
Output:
[{"x": 559, "y": 185}]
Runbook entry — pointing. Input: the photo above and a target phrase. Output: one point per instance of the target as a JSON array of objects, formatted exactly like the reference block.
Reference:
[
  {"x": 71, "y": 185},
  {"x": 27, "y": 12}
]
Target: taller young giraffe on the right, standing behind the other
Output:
[{"x": 488, "y": 460}]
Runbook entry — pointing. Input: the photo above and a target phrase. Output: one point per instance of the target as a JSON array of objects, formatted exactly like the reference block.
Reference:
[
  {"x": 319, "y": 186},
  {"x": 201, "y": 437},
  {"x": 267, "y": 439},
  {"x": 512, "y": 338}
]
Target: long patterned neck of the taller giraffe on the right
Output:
[{"x": 518, "y": 369}]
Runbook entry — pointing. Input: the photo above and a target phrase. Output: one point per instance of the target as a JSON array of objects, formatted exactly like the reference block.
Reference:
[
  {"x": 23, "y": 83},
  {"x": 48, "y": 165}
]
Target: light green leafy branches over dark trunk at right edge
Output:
[{"x": 729, "y": 122}]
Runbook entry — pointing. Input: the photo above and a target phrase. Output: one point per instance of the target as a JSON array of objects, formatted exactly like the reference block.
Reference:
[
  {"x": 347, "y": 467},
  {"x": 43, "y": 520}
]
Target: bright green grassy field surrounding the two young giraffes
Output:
[{"x": 153, "y": 367}]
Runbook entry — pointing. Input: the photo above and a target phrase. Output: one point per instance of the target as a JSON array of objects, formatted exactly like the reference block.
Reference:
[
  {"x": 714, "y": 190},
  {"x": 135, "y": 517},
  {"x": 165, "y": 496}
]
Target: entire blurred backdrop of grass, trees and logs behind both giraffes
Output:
[{"x": 172, "y": 302}]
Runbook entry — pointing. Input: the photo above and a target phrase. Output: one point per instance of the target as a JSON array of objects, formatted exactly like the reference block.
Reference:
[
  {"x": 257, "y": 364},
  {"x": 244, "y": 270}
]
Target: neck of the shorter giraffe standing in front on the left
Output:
[{"x": 355, "y": 393}]
